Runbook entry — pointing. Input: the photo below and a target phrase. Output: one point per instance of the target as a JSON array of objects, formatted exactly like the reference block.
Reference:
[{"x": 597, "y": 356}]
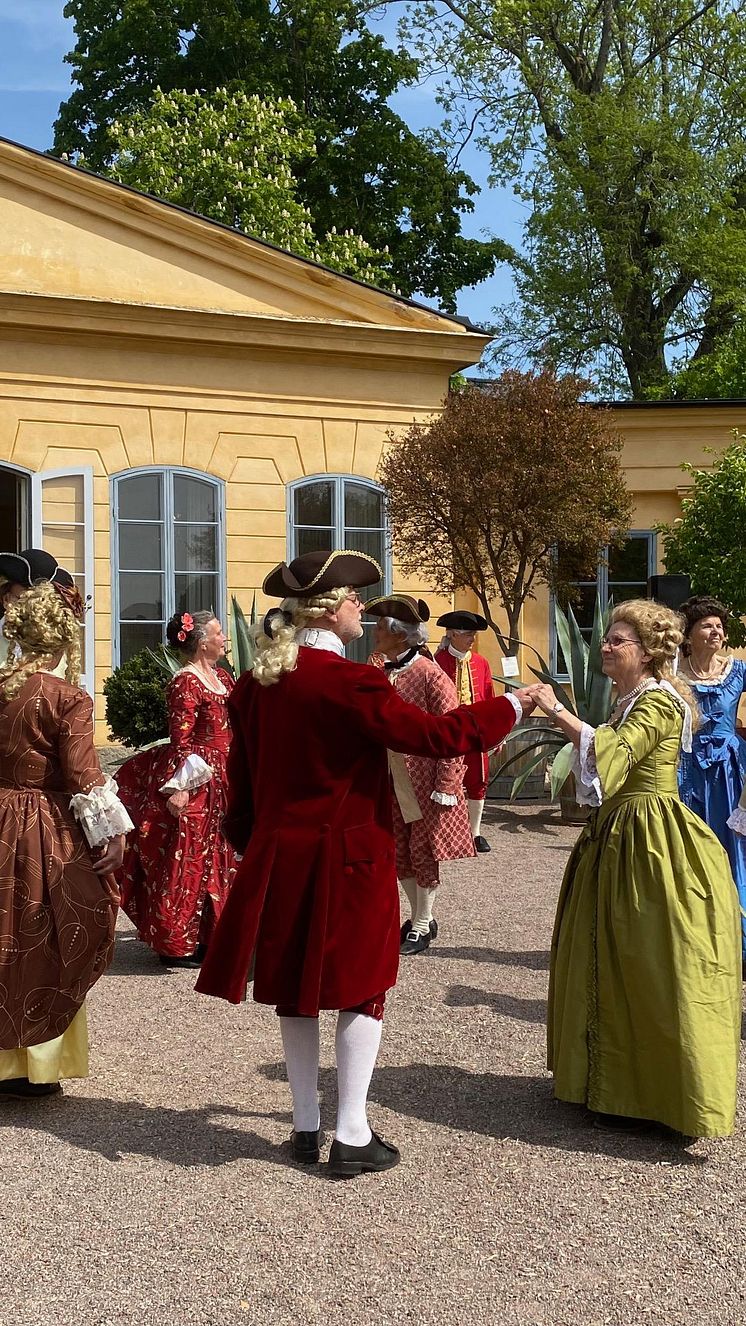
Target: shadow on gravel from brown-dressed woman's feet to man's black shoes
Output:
[{"x": 116, "y": 1129}]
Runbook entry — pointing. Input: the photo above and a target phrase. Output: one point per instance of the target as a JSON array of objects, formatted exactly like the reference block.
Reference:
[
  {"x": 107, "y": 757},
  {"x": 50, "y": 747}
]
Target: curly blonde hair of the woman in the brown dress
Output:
[{"x": 43, "y": 628}]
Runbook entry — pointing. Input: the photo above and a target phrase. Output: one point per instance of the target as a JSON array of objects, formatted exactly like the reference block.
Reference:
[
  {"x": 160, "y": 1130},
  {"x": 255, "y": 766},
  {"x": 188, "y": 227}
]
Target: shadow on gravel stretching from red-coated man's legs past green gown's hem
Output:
[{"x": 519, "y": 1108}]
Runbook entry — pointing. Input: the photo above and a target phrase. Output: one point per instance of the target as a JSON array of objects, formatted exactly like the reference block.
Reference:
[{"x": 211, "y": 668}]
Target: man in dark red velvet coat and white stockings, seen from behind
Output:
[{"x": 315, "y": 908}]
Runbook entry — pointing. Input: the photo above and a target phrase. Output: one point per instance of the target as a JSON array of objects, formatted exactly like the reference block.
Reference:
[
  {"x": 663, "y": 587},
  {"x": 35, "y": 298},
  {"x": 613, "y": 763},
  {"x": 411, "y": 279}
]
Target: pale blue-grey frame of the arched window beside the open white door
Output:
[{"x": 168, "y": 522}]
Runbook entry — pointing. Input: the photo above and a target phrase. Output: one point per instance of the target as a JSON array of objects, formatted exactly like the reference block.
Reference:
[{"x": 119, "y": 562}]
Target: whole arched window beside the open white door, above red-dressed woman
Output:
[{"x": 168, "y": 552}]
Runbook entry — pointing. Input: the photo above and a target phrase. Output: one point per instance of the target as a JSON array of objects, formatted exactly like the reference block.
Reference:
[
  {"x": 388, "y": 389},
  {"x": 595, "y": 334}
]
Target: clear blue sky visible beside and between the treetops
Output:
[{"x": 34, "y": 80}]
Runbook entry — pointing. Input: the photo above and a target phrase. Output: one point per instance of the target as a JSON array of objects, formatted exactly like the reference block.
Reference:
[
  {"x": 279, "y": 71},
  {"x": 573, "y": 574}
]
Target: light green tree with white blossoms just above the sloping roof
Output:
[{"x": 234, "y": 158}]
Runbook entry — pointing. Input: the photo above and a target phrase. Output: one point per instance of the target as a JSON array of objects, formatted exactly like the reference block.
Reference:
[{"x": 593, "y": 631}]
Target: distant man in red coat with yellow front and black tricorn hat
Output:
[{"x": 472, "y": 678}]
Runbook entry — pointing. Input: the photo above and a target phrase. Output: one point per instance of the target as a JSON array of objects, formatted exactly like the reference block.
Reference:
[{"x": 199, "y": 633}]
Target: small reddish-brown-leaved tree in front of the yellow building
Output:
[{"x": 482, "y": 497}]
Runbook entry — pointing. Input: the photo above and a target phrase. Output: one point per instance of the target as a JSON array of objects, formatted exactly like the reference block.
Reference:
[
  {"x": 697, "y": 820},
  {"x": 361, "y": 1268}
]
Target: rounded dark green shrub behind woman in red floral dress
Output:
[{"x": 136, "y": 701}]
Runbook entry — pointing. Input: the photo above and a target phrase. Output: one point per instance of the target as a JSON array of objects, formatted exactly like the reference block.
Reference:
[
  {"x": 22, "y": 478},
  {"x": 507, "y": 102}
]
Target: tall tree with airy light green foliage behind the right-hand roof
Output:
[{"x": 622, "y": 127}]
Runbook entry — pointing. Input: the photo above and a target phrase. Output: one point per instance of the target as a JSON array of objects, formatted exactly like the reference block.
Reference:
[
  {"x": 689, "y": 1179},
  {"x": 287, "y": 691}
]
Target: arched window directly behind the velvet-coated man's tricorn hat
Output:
[{"x": 341, "y": 511}]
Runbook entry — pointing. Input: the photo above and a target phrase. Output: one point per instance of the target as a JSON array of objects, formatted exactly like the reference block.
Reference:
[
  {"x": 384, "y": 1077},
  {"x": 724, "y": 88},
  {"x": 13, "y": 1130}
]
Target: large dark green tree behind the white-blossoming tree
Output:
[{"x": 369, "y": 174}]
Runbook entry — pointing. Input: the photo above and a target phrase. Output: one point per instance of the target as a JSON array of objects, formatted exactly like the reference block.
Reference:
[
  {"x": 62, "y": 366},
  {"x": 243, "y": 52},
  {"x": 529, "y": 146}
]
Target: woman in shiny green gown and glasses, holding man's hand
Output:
[{"x": 645, "y": 1010}]
